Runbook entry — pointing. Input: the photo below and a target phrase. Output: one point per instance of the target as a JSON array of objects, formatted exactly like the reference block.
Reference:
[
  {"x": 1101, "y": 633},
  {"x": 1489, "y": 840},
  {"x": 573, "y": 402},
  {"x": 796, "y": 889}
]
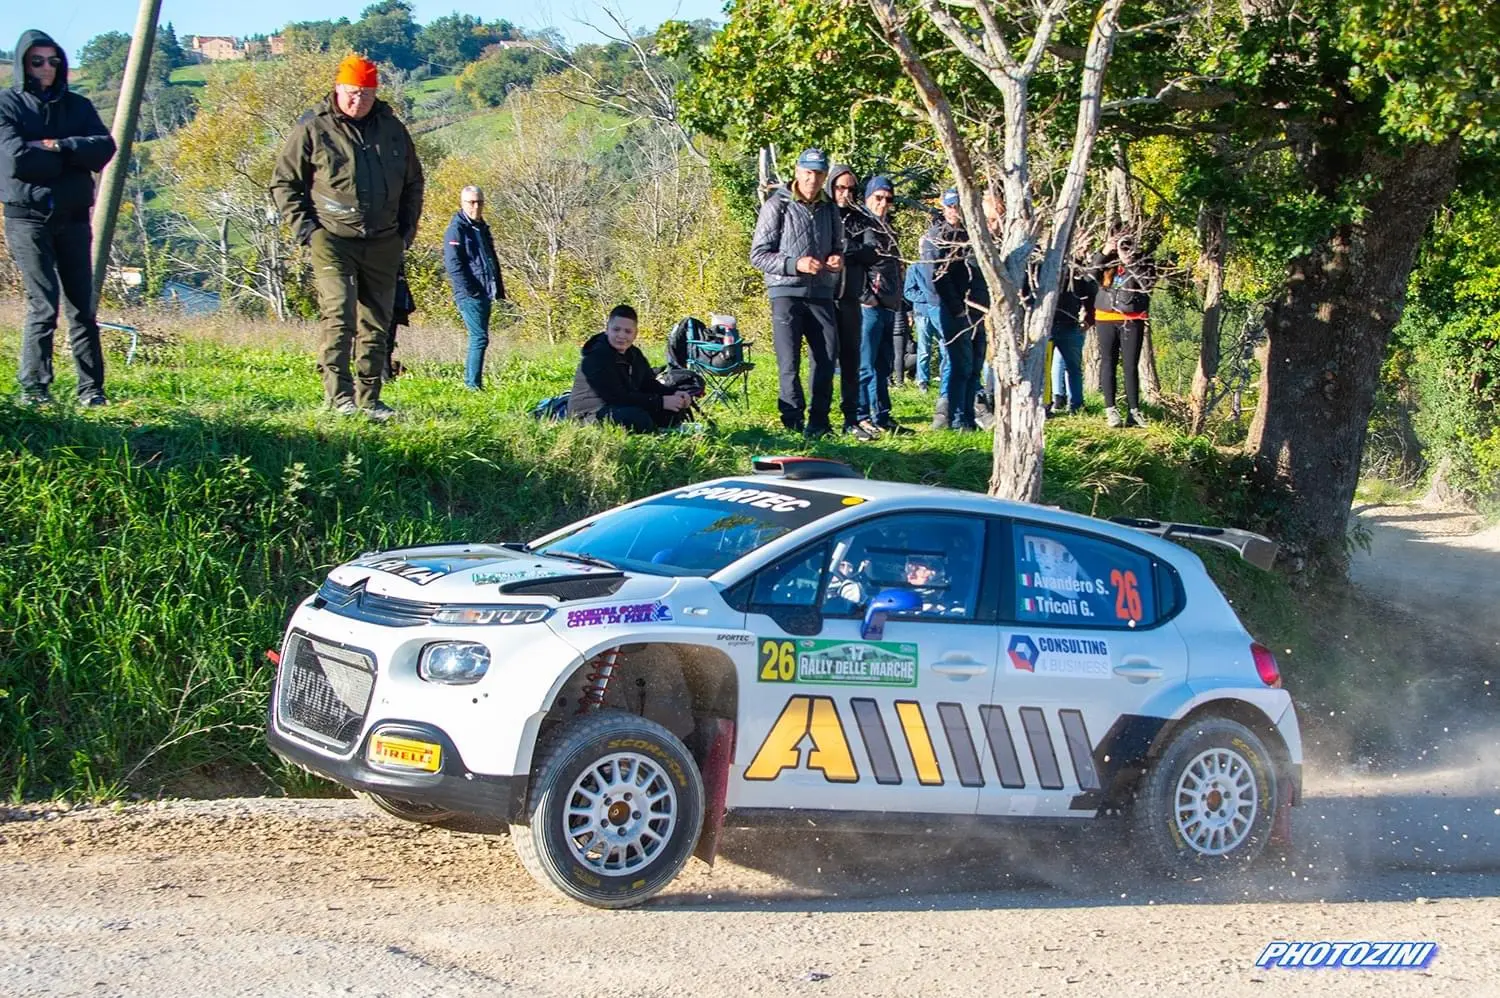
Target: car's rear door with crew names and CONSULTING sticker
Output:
[{"x": 1085, "y": 646}]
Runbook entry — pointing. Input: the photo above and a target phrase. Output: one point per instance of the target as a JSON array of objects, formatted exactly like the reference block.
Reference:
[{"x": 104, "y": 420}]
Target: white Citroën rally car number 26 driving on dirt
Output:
[{"x": 799, "y": 643}]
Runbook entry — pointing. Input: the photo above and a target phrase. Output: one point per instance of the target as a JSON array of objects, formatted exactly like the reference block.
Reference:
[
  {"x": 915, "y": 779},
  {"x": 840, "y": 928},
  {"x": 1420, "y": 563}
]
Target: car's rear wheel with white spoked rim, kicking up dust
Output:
[{"x": 1183, "y": 828}]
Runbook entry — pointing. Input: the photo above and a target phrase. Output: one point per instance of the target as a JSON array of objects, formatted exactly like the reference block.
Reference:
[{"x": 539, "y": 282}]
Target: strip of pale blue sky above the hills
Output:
[{"x": 73, "y": 23}]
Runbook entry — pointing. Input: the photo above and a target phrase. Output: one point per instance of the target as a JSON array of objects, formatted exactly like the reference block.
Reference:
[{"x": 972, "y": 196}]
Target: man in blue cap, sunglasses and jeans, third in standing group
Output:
[{"x": 880, "y": 304}]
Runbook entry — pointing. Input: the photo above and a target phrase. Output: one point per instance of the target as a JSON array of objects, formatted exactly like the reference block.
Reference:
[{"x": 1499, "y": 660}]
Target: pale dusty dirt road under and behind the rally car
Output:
[{"x": 326, "y": 898}]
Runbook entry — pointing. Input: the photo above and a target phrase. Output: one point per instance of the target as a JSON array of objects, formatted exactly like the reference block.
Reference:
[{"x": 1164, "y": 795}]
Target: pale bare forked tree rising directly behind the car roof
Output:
[{"x": 1031, "y": 238}]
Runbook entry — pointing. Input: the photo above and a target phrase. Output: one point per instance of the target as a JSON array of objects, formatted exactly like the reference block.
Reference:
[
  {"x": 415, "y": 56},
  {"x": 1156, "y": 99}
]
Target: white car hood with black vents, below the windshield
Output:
[{"x": 488, "y": 574}]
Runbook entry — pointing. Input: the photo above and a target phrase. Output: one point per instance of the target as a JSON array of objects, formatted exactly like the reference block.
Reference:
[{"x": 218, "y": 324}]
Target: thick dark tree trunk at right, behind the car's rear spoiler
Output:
[{"x": 1328, "y": 341}]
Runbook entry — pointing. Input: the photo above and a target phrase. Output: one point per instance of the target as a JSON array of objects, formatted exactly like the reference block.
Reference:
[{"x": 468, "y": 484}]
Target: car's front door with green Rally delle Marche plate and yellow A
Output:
[{"x": 848, "y": 720}]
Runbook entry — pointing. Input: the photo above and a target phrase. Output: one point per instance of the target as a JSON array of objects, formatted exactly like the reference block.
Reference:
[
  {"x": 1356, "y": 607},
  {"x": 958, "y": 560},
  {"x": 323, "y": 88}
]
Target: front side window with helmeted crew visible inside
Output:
[{"x": 937, "y": 558}]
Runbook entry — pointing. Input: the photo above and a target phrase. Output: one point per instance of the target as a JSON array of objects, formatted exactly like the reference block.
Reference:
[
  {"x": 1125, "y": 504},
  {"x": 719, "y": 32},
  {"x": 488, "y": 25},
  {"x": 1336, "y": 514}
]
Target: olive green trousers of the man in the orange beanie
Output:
[{"x": 356, "y": 281}]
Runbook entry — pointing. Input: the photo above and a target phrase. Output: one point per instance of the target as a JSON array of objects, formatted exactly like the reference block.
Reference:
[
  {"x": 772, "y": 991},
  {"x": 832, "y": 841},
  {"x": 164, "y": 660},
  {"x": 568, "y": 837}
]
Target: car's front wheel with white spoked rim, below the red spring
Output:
[{"x": 611, "y": 751}]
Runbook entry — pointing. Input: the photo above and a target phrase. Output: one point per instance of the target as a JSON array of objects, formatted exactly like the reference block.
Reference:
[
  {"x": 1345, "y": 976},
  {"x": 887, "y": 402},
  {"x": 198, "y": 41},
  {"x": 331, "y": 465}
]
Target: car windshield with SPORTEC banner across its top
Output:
[{"x": 700, "y": 531}]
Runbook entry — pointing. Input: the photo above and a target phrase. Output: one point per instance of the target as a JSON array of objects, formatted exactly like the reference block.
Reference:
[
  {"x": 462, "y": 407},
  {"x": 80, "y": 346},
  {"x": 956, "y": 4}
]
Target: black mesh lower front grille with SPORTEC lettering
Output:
[{"x": 325, "y": 691}]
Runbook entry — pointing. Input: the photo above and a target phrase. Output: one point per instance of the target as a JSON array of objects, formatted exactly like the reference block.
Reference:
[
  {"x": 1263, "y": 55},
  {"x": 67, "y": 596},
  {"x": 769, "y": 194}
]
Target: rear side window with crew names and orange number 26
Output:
[{"x": 1066, "y": 579}]
